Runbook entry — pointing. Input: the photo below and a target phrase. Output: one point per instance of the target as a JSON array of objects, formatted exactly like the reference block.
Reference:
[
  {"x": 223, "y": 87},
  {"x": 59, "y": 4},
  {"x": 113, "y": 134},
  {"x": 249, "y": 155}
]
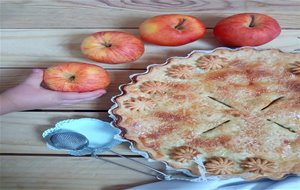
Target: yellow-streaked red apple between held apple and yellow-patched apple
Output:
[{"x": 112, "y": 47}]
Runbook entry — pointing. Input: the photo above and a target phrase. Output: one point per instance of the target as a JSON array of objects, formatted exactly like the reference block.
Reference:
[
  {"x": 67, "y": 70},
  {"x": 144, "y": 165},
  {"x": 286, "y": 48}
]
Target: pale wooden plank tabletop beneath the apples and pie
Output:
[{"x": 41, "y": 33}]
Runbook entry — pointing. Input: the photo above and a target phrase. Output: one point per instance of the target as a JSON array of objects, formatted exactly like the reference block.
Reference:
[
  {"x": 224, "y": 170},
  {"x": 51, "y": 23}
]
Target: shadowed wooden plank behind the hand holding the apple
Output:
[{"x": 12, "y": 77}]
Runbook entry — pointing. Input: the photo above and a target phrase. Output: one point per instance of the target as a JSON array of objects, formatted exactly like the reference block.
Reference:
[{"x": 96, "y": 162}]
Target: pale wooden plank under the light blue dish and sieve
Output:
[{"x": 21, "y": 132}]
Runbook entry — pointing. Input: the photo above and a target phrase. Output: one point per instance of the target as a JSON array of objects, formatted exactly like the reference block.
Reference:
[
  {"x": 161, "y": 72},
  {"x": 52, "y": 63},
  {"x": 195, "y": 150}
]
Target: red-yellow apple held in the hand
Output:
[{"x": 76, "y": 77}]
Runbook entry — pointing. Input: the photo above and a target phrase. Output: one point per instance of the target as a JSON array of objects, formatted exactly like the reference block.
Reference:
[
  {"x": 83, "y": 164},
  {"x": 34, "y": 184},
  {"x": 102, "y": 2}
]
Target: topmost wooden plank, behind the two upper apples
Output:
[{"x": 128, "y": 14}]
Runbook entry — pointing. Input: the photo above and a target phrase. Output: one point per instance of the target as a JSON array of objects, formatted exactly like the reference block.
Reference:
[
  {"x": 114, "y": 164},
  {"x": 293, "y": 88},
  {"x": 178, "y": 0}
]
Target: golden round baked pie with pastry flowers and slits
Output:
[{"x": 238, "y": 109}]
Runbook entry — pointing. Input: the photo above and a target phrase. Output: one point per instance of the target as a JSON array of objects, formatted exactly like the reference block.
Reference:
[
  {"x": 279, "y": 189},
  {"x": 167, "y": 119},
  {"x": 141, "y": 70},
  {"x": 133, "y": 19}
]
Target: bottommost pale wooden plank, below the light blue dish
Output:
[{"x": 26, "y": 172}]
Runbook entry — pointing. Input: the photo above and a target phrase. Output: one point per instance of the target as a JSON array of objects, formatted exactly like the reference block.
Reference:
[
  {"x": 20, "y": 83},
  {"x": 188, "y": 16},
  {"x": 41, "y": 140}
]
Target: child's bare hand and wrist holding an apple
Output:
[{"x": 30, "y": 95}]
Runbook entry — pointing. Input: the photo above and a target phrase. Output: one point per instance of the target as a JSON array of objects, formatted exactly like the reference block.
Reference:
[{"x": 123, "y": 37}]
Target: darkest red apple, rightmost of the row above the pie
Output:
[{"x": 247, "y": 29}]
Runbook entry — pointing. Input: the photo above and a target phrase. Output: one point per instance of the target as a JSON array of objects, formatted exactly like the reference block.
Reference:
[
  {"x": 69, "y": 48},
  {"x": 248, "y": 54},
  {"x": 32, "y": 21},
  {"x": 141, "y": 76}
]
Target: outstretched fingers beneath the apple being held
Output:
[{"x": 81, "y": 96}]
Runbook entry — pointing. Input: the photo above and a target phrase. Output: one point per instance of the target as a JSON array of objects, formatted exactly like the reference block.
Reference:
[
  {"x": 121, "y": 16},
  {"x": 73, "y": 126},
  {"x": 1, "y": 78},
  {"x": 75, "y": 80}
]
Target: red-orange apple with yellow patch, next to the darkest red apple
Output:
[{"x": 172, "y": 29}]
